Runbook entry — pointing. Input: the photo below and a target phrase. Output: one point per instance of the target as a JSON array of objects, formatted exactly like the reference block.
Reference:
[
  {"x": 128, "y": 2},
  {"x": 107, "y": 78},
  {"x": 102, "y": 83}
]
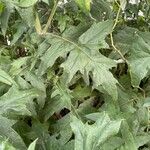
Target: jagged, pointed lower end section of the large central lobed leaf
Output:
[{"x": 98, "y": 64}]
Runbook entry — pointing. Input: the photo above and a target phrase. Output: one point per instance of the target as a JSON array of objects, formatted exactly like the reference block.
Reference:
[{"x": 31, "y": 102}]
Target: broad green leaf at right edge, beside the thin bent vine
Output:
[{"x": 136, "y": 44}]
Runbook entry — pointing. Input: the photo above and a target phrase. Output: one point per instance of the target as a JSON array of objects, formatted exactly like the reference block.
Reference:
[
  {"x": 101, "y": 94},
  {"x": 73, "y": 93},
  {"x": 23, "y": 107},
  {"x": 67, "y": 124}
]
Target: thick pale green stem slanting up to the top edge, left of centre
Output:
[{"x": 50, "y": 17}]
